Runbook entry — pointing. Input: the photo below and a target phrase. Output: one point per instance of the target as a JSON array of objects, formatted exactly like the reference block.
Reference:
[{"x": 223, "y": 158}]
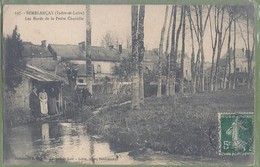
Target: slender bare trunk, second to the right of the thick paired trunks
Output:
[{"x": 167, "y": 91}]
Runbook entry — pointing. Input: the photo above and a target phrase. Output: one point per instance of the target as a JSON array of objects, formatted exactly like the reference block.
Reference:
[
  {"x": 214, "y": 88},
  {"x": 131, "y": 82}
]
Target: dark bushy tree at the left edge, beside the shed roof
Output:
[{"x": 13, "y": 60}]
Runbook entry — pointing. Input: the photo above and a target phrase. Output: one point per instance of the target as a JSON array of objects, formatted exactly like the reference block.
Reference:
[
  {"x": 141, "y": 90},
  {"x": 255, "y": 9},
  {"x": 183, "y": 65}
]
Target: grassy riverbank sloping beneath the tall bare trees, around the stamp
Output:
[{"x": 181, "y": 125}]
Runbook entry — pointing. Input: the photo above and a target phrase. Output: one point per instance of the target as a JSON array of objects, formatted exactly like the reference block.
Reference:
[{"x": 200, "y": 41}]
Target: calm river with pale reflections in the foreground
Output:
[{"x": 55, "y": 143}]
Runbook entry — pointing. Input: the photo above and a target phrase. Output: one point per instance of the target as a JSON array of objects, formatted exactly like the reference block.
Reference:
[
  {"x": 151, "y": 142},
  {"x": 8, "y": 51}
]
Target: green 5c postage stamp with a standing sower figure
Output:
[{"x": 236, "y": 133}]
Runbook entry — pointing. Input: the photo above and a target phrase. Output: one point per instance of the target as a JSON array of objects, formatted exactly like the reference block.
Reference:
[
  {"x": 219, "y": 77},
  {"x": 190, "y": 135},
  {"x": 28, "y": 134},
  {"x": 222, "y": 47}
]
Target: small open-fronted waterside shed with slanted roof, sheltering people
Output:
[{"x": 18, "y": 101}]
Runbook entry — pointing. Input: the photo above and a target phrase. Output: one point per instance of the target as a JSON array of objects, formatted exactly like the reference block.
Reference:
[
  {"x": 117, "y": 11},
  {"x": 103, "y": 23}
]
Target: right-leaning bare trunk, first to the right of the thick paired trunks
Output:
[{"x": 159, "y": 86}]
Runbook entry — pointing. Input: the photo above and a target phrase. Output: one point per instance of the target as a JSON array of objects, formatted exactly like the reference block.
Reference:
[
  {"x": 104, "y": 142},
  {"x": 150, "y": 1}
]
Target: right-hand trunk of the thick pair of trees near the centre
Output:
[{"x": 141, "y": 52}]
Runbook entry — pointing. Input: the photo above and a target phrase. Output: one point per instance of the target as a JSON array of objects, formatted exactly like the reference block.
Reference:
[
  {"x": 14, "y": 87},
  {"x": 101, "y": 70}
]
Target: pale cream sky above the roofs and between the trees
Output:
[{"x": 104, "y": 18}]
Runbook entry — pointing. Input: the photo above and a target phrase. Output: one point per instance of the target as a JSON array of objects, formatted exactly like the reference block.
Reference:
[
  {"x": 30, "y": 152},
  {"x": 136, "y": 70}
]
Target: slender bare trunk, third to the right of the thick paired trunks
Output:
[{"x": 172, "y": 62}]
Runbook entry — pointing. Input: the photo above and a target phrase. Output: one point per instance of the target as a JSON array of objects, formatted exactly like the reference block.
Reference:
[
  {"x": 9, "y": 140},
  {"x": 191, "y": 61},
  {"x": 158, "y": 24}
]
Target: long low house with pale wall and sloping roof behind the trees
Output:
[{"x": 103, "y": 60}]
